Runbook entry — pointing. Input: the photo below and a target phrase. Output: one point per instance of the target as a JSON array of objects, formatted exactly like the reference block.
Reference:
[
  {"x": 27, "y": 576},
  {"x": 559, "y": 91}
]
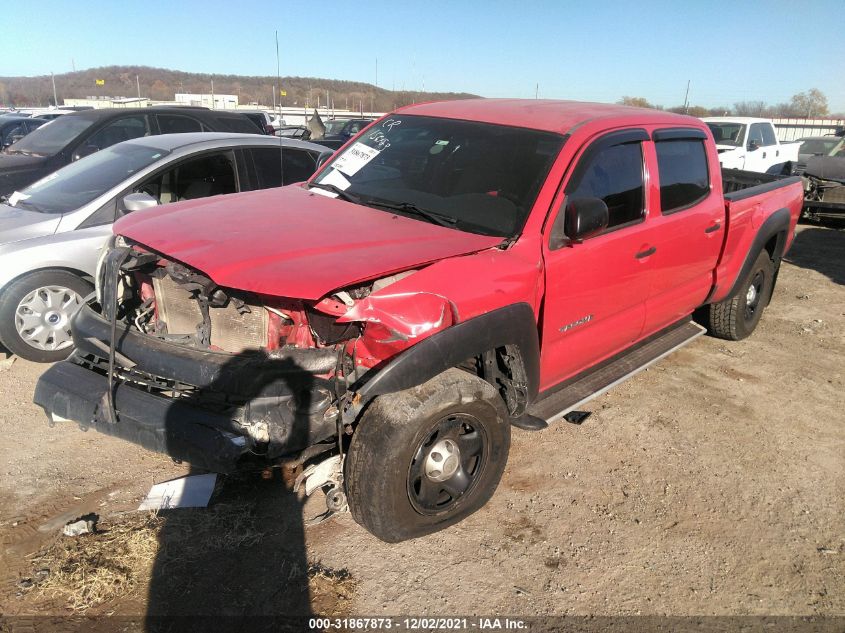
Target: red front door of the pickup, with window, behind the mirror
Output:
[{"x": 596, "y": 291}]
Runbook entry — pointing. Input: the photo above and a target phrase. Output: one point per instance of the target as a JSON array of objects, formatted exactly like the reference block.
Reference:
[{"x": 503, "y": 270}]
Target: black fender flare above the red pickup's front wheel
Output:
[{"x": 511, "y": 325}]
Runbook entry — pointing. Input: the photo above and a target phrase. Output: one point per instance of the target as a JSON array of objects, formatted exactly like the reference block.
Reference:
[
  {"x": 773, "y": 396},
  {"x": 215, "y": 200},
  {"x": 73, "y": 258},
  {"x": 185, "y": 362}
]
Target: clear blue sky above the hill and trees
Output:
[{"x": 598, "y": 51}]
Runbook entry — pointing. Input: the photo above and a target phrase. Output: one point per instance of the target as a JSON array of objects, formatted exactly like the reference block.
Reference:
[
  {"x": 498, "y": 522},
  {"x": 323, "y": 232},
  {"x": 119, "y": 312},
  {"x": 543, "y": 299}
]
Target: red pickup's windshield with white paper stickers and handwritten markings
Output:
[{"x": 477, "y": 177}]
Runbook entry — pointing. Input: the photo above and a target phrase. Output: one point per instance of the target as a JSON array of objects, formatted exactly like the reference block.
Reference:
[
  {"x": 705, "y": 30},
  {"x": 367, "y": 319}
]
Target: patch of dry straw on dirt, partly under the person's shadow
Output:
[{"x": 93, "y": 569}]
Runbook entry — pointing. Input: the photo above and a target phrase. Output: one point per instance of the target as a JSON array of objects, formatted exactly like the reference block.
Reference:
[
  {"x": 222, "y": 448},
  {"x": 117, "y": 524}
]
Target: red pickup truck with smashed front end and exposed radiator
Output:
[{"x": 454, "y": 270}]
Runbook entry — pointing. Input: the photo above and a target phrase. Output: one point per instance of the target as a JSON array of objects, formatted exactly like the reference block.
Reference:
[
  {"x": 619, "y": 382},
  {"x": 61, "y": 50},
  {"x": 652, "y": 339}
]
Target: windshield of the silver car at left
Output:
[{"x": 80, "y": 182}]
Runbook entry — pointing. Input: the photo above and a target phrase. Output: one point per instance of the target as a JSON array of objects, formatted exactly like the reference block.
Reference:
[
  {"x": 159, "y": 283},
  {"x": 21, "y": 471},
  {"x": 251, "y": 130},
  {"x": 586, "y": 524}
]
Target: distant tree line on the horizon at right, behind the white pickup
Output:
[{"x": 809, "y": 104}]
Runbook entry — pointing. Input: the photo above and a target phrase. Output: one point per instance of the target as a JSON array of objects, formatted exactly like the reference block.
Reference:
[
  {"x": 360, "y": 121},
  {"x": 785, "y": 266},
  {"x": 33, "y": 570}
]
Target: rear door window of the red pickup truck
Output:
[{"x": 682, "y": 169}]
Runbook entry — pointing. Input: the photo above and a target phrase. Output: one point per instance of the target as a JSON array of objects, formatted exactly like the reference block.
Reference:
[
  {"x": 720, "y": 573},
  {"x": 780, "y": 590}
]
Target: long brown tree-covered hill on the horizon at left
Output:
[{"x": 161, "y": 84}]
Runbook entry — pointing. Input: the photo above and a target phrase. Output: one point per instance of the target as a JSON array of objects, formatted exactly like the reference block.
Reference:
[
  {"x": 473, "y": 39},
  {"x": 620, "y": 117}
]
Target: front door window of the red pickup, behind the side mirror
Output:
[{"x": 615, "y": 175}]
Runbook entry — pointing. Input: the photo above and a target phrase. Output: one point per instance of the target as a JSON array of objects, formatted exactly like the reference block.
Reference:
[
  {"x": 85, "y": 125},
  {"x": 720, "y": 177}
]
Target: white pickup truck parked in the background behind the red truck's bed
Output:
[{"x": 751, "y": 144}]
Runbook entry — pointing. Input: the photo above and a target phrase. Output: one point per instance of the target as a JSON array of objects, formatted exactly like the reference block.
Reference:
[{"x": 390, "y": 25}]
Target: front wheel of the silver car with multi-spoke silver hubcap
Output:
[{"x": 35, "y": 312}]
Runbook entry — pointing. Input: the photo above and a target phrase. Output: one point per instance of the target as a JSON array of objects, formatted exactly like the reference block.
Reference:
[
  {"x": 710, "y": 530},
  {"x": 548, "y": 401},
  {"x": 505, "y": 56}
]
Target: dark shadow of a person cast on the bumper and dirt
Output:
[{"x": 242, "y": 563}]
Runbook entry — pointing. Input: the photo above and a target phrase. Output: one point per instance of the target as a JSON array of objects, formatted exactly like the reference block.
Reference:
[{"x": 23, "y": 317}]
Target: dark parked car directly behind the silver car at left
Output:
[{"x": 73, "y": 136}]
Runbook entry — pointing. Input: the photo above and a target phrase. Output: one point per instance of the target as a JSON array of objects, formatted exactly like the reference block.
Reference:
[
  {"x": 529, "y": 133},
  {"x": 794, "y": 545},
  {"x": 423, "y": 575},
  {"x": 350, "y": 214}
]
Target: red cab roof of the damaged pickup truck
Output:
[{"x": 548, "y": 115}]
